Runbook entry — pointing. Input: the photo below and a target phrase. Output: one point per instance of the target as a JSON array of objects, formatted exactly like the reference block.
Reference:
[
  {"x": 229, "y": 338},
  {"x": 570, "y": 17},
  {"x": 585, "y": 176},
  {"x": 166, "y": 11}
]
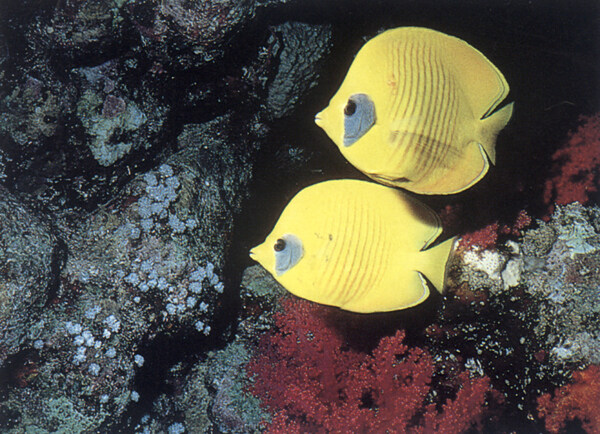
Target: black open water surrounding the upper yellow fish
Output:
[{"x": 549, "y": 52}]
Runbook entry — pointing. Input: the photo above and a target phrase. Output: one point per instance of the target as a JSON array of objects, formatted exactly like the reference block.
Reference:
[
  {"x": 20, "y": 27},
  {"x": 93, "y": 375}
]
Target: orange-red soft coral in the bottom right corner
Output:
[{"x": 578, "y": 400}]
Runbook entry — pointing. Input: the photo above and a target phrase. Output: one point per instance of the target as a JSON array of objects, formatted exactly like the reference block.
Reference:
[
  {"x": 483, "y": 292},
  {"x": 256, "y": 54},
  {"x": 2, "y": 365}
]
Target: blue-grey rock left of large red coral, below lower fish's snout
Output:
[{"x": 214, "y": 395}]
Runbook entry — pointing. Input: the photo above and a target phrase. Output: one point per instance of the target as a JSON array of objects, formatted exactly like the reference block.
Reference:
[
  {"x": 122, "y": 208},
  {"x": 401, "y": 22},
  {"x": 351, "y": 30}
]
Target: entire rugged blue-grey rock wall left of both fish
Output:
[{"x": 136, "y": 127}]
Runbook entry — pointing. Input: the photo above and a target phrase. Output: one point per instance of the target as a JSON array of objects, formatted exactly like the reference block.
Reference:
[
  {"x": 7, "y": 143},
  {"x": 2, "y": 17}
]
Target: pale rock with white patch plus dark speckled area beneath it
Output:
[{"x": 525, "y": 309}]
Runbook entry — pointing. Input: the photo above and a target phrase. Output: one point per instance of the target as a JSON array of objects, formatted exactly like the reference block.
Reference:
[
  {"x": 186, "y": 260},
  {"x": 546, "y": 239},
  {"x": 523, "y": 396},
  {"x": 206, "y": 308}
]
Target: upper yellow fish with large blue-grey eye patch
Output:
[{"x": 417, "y": 110}]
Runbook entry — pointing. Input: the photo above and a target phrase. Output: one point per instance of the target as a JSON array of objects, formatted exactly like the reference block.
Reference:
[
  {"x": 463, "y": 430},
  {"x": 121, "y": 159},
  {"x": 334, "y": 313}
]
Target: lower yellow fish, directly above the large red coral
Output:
[{"x": 357, "y": 245}]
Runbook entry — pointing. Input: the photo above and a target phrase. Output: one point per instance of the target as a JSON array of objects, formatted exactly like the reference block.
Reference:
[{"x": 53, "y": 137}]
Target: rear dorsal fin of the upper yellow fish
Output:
[{"x": 484, "y": 85}]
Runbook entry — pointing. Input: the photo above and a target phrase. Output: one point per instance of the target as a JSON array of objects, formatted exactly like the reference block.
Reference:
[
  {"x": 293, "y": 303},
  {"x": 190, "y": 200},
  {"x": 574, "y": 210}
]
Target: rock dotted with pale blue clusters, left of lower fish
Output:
[{"x": 147, "y": 268}]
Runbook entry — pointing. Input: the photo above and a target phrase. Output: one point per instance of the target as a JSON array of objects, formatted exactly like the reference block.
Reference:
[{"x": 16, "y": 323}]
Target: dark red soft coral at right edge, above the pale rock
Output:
[{"x": 576, "y": 165}]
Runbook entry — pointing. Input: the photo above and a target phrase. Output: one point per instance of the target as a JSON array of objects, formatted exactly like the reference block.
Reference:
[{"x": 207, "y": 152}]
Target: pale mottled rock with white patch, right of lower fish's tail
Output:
[{"x": 556, "y": 264}]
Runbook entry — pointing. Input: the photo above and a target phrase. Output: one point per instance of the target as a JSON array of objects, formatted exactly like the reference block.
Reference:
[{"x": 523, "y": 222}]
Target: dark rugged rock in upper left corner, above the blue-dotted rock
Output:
[{"x": 100, "y": 85}]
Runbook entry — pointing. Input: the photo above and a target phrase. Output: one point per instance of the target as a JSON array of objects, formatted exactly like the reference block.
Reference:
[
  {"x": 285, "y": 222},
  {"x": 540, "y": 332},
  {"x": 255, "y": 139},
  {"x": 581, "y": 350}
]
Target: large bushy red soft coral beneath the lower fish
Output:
[{"x": 312, "y": 382}]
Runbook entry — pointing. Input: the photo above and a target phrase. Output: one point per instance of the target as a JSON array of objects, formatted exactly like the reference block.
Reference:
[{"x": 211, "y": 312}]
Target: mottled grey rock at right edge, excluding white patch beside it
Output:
[{"x": 566, "y": 283}]
